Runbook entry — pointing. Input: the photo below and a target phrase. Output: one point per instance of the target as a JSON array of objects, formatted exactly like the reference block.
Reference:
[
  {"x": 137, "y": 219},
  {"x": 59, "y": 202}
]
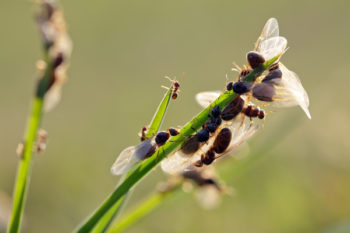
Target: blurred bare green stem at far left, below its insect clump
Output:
[{"x": 24, "y": 166}]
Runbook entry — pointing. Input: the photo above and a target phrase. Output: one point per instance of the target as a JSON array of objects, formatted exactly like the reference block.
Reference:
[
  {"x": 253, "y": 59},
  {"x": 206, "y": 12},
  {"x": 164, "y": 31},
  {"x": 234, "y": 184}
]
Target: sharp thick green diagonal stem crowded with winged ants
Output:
[{"x": 171, "y": 145}]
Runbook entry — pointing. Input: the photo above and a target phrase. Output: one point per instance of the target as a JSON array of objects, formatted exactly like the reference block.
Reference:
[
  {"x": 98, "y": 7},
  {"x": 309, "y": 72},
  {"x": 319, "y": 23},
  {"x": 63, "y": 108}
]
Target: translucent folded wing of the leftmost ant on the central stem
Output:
[{"x": 130, "y": 156}]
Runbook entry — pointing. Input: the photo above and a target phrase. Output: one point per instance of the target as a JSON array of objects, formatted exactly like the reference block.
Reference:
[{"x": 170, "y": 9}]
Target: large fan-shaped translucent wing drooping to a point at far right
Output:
[{"x": 290, "y": 92}]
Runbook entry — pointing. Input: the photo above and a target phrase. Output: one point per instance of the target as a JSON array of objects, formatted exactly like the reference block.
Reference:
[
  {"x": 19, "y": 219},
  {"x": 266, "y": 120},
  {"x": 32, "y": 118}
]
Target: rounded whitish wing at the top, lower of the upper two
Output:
[{"x": 272, "y": 47}]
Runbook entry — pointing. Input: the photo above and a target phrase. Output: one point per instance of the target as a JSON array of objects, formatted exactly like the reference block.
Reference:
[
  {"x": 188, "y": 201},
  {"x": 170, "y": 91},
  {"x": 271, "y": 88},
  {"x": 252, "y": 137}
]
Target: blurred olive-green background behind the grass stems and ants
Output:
[{"x": 122, "y": 51}]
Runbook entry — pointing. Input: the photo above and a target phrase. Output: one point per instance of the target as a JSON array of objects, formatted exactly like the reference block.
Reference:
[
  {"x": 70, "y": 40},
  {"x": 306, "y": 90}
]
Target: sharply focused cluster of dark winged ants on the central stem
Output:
[{"x": 228, "y": 128}]
